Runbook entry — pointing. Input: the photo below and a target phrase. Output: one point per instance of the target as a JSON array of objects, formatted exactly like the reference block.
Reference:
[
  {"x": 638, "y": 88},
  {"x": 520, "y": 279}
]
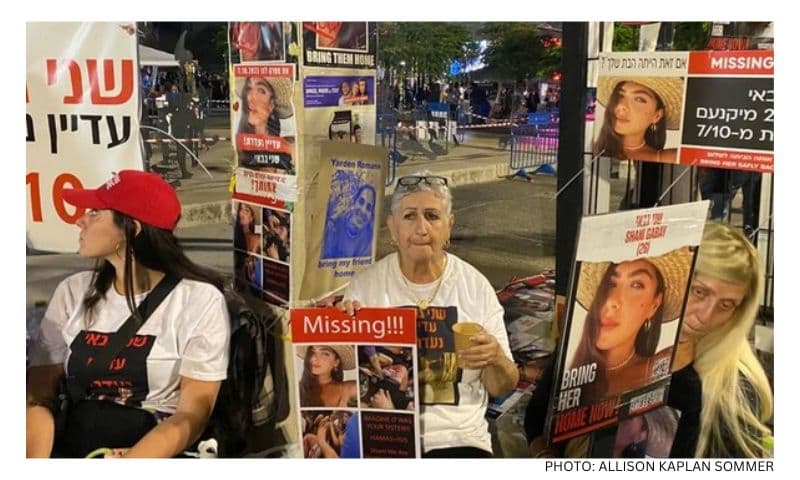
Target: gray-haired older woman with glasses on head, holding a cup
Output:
[{"x": 447, "y": 291}]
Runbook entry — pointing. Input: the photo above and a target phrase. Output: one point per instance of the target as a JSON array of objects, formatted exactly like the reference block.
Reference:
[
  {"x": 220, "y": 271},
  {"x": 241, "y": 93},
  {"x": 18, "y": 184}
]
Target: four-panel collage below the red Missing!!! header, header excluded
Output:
[{"x": 356, "y": 401}]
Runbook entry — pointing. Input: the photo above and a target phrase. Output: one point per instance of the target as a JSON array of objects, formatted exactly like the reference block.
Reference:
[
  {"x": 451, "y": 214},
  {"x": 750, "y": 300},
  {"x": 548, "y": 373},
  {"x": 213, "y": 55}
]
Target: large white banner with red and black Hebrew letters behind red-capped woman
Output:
[{"x": 81, "y": 119}]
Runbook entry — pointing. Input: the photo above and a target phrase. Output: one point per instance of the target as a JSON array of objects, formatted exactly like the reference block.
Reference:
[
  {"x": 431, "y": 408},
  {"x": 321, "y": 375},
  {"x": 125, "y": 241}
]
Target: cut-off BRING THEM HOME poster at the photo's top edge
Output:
[{"x": 339, "y": 44}]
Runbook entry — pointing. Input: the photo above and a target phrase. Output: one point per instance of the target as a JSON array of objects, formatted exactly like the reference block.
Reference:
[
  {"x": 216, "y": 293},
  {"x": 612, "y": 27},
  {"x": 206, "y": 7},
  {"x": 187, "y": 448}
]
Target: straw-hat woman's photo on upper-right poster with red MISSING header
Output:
[{"x": 638, "y": 113}]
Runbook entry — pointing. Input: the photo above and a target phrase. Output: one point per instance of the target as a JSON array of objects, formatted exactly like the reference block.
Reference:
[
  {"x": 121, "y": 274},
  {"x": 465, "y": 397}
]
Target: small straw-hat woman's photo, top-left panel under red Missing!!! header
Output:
[{"x": 322, "y": 383}]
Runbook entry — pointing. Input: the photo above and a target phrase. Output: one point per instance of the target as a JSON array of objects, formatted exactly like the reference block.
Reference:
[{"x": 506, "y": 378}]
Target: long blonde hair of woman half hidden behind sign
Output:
[{"x": 737, "y": 399}]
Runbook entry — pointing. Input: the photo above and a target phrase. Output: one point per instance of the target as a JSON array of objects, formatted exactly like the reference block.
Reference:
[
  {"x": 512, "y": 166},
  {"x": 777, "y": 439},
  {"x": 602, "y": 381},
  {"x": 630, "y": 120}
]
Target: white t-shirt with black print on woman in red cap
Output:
[{"x": 187, "y": 335}]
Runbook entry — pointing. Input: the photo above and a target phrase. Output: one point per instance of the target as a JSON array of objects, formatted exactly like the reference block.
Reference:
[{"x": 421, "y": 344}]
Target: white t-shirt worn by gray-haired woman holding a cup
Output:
[{"x": 453, "y": 400}]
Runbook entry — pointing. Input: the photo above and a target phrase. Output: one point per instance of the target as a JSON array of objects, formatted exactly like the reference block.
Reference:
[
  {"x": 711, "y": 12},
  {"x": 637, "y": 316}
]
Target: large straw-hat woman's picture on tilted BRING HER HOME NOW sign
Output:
[{"x": 626, "y": 304}]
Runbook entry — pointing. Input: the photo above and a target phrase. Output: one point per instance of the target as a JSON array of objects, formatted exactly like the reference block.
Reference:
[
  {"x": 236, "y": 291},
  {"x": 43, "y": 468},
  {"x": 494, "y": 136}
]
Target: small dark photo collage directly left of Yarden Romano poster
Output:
[{"x": 262, "y": 246}]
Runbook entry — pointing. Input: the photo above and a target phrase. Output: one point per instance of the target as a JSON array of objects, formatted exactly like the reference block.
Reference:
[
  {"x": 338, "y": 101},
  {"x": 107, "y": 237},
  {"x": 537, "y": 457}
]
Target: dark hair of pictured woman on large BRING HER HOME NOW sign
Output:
[{"x": 644, "y": 345}]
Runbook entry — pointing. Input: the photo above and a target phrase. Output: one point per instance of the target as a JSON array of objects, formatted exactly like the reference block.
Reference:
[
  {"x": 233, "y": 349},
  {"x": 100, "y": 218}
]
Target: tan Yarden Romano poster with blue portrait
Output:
[{"x": 343, "y": 196}]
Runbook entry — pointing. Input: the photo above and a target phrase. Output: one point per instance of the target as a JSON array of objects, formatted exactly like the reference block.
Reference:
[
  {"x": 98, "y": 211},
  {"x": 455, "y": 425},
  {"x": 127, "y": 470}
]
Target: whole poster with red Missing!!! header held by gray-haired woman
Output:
[{"x": 356, "y": 382}]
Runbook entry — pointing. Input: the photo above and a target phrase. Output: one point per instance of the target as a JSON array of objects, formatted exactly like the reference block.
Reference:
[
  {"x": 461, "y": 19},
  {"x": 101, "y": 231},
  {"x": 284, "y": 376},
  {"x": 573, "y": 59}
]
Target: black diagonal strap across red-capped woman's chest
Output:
[{"x": 77, "y": 389}]
